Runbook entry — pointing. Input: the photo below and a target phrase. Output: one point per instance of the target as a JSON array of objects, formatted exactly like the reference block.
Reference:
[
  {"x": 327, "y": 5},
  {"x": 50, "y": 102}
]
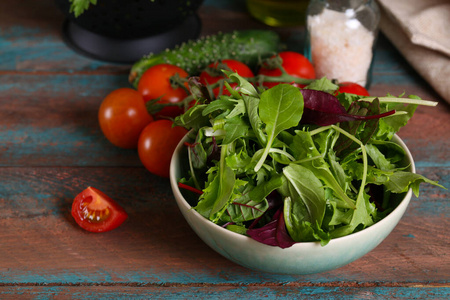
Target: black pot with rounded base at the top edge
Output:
[{"x": 125, "y": 30}]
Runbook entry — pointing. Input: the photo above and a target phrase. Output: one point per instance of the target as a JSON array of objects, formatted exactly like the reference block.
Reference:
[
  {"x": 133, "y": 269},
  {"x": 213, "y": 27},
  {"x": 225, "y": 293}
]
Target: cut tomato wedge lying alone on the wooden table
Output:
[{"x": 94, "y": 211}]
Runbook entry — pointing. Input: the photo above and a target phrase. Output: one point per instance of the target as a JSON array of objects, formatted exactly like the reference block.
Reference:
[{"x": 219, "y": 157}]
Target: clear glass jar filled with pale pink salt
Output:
[{"x": 341, "y": 36}]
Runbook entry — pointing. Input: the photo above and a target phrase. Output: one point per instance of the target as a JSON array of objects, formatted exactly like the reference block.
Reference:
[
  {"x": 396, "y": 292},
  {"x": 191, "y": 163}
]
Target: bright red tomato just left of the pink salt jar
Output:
[{"x": 294, "y": 64}]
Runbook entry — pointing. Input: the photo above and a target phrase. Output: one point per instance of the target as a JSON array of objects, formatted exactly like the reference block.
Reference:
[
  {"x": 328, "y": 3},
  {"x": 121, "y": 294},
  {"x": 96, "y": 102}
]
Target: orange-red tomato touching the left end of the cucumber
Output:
[{"x": 155, "y": 83}]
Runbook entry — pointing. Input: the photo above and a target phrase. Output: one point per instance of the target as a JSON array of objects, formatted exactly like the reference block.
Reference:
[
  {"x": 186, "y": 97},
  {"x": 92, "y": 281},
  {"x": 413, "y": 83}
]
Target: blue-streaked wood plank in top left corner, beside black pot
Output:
[{"x": 31, "y": 40}]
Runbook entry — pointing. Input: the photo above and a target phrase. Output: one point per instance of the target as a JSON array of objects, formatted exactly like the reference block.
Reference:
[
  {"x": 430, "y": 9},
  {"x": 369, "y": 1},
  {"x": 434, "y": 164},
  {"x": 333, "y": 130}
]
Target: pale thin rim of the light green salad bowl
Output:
[{"x": 298, "y": 245}]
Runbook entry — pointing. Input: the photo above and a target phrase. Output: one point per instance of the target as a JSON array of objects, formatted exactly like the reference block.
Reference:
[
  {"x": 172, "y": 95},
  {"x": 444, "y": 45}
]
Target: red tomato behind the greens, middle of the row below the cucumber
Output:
[{"x": 234, "y": 65}]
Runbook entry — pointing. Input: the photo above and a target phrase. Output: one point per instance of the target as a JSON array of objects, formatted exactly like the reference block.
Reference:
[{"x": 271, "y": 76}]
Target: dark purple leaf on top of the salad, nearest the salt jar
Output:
[{"x": 323, "y": 109}]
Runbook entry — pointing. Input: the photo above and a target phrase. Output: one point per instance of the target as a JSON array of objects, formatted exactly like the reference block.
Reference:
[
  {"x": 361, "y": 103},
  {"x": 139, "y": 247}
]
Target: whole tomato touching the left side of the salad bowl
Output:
[{"x": 156, "y": 145}]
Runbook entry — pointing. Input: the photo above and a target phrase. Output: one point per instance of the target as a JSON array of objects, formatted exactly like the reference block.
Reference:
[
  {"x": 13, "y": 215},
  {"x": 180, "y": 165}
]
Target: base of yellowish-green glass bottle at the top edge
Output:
[{"x": 279, "y": 13}]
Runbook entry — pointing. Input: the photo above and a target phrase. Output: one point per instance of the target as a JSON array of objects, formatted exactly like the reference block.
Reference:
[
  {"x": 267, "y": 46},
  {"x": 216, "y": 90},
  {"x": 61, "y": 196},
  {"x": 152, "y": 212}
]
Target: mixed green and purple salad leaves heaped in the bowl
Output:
[{"x": 287, "y": 165}]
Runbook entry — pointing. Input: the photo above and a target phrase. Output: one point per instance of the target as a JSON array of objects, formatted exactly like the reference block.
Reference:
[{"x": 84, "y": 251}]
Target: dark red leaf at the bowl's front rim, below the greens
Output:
[{"x": 273, "y": 233}]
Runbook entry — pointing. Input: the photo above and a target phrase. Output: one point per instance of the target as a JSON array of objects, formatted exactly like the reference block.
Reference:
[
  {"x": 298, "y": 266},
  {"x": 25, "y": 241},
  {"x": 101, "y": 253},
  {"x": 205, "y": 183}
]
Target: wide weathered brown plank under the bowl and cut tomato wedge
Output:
[{"x": 41, "y": 244}]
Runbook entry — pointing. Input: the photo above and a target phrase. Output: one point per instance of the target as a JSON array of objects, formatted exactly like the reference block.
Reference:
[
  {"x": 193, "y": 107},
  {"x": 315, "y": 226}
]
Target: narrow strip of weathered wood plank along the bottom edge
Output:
[{"x": 226, "y": 292}]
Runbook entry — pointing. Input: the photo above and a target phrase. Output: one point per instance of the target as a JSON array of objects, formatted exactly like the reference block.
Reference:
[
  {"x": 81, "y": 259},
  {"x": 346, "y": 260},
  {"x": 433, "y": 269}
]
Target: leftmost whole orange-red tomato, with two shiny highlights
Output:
[{"x": 122, "y": 116}]
